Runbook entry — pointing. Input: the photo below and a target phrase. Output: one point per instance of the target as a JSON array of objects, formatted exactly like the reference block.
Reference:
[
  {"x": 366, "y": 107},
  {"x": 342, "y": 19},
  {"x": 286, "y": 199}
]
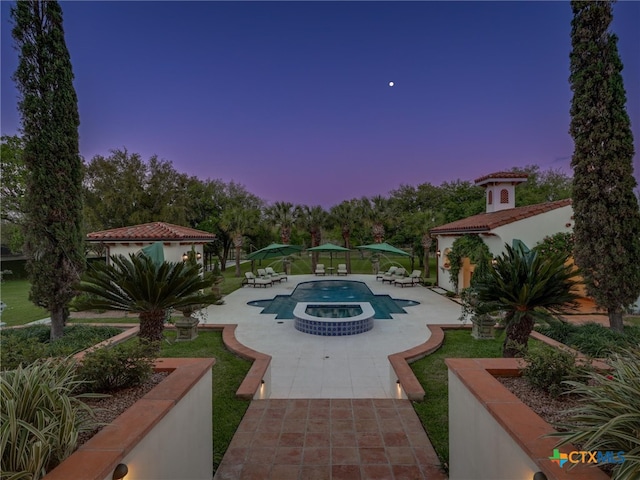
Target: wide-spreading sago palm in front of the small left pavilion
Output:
[{"x": 137, "y": 284}]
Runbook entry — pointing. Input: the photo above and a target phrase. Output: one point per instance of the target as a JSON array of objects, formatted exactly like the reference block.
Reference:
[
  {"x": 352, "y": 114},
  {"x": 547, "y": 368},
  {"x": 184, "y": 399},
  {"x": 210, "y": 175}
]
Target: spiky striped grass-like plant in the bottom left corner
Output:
[{"x": 41, "y": 417}]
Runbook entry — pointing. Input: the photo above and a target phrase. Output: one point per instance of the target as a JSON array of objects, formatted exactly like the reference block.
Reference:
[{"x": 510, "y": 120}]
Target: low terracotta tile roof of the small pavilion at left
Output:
[{"x": 156, "y": 231}]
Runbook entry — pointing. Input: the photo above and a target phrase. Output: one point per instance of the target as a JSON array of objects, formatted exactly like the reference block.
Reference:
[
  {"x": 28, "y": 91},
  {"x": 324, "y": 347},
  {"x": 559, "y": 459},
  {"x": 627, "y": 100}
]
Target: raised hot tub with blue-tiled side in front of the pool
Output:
[{"x": 333, "y": 318}]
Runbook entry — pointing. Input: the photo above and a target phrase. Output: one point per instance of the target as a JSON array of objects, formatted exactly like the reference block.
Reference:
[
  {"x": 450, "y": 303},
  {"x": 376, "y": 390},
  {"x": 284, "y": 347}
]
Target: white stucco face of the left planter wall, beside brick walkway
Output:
[{"x": 181, "y": 444}]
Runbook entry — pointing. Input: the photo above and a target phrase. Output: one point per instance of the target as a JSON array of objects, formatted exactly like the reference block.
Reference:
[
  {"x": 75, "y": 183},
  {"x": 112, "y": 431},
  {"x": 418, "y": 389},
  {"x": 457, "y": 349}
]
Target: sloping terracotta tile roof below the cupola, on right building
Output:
[{"x": 485, "y": 222}]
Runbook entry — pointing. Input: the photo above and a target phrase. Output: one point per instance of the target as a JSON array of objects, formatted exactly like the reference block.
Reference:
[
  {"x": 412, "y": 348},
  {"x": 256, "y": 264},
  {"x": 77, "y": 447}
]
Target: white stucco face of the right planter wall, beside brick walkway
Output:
[{"x": 479, "y": 448}]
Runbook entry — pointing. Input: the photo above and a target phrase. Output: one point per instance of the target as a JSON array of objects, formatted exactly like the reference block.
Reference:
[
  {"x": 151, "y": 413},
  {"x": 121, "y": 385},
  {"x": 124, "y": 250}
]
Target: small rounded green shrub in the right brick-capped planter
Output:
[{"x": 547, "y": 368}]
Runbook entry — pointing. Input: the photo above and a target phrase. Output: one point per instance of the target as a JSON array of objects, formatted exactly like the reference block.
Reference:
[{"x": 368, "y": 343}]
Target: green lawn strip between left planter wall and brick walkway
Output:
[{"x": 228, "y": 372}]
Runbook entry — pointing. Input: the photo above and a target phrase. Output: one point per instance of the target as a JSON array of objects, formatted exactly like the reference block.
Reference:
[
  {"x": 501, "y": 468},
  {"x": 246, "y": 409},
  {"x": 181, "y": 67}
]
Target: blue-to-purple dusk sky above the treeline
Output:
[{"x": 292, "y": 99}]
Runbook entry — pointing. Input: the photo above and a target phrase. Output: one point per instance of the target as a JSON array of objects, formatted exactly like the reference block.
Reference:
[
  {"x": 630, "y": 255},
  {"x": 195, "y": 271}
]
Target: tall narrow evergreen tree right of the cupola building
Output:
[{"x": 606, "y": 214}]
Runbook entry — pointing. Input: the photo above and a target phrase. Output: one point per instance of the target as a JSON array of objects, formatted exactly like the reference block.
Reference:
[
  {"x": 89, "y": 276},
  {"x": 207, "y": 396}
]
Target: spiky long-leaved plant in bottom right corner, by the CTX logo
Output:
[{"x": 608, "y": 418}]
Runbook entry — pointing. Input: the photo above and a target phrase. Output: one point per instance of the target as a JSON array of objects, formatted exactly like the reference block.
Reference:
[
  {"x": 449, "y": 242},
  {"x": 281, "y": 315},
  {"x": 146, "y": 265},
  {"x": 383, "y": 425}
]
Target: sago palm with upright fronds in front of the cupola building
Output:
[{"x": 526, "y": 287}]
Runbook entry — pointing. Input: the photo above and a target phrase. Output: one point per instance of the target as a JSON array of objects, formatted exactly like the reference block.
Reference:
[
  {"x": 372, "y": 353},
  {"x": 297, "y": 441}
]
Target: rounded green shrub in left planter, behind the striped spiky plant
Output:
[{"x": 124, "y": 365}]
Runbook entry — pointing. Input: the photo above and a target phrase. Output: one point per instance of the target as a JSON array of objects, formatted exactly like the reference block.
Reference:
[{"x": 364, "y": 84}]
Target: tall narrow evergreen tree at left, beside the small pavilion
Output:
[{"x": 53, "y": 200}]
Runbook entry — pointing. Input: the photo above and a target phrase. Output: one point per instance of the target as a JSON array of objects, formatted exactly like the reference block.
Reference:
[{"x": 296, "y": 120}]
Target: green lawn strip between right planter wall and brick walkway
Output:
[{"x": 432, "y": 373}]
